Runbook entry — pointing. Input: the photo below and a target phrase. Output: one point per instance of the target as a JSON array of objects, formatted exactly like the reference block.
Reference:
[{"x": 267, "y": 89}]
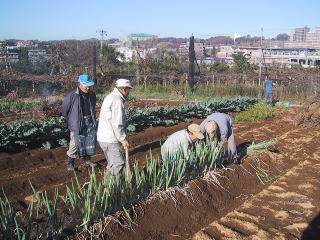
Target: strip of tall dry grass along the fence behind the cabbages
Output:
[{"x": 292, "y": 92}]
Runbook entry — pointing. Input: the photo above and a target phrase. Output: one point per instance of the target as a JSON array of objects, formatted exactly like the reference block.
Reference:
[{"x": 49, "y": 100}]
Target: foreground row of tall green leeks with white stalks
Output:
[{"x": 104, "y": 194}]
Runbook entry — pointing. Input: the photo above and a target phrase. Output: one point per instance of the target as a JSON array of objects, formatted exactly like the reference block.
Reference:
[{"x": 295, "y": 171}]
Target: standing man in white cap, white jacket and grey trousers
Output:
[{"x": 112, "y": 129}]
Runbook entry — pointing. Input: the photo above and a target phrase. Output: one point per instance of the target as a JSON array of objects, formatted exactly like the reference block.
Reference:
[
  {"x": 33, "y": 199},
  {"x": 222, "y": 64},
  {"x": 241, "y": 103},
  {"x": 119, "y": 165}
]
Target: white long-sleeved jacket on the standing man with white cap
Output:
[{"x": 112, "y": 126}]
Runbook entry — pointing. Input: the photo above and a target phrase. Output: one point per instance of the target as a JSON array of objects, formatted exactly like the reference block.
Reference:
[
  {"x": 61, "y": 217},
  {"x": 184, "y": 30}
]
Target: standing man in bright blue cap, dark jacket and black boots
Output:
[{"x": 78, "y": 108}]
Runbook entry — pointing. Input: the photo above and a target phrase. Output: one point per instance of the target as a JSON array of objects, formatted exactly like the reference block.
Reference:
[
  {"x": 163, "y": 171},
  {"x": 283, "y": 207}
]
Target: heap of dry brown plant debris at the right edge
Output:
[{"x": 309, "y": 115}]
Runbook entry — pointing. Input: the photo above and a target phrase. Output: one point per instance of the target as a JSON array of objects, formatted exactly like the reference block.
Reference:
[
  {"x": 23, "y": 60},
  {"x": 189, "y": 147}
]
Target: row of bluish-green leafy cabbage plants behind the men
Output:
[{"x": 21, "y": 135}]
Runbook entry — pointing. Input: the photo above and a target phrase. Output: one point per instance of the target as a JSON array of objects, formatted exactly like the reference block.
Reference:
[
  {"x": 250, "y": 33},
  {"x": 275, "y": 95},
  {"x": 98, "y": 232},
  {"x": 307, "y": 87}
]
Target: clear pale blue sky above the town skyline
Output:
[{"x": 81, "y": 19}]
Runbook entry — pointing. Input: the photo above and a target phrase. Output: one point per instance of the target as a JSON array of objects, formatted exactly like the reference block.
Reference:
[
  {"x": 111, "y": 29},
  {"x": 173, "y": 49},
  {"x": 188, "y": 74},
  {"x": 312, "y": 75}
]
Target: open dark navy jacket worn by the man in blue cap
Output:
[{"x": 72, "y": 110}]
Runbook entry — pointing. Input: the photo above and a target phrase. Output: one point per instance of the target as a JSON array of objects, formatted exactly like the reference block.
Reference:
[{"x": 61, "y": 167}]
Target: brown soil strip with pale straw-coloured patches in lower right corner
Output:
[{"x": 281, "y": 211}]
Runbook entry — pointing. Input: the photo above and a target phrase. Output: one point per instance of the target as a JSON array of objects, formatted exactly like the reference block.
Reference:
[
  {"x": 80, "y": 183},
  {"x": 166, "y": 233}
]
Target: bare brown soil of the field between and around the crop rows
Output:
[{"x": 212, "y": 207}]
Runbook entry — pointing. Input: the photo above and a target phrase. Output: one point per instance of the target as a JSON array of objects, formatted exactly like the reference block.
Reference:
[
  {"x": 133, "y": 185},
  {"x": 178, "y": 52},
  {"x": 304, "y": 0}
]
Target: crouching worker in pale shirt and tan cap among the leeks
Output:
[{"x": 180, "y": 142}]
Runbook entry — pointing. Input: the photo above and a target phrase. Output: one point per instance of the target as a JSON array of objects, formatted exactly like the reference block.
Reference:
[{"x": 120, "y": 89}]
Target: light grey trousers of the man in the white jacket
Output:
[{"x": 114, "y": 156}]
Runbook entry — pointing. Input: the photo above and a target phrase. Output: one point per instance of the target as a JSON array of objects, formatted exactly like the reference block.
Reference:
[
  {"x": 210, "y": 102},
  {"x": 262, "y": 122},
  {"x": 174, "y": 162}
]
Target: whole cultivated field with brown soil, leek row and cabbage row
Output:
[{"x": 271, "y": 195}]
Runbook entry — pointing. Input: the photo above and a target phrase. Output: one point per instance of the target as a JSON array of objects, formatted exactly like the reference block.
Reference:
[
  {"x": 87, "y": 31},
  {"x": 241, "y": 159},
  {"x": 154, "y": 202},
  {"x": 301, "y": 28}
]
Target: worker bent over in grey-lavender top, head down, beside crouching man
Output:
[{"x": 219, "y": 126}]
